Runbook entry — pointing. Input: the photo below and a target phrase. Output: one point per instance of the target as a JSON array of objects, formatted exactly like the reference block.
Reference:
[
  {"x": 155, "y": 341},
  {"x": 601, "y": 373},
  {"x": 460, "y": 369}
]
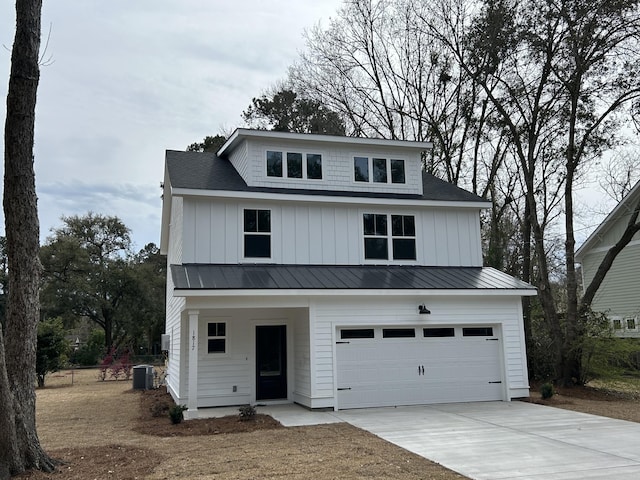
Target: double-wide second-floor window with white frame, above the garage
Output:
[{"x": 384, "y": 243}]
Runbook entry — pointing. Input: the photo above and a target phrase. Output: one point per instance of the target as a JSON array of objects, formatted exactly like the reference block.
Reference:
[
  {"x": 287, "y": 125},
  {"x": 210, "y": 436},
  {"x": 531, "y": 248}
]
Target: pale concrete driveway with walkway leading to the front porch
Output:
[{"x": 497, "y": 440}]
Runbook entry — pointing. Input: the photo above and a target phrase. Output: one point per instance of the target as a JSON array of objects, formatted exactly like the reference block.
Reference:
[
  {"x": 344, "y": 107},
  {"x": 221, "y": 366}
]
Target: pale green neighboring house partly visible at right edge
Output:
[{"x": 619, "y": 295}]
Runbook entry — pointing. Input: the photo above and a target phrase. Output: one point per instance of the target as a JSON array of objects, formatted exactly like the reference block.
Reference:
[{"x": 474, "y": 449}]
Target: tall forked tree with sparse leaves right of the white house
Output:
[{"x": 562, "y": 74}]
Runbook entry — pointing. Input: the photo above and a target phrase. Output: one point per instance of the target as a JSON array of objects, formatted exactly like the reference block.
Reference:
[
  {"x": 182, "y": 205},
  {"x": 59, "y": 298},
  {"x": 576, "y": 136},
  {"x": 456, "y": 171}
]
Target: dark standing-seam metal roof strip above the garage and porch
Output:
[{"x": 323, "y": 277}]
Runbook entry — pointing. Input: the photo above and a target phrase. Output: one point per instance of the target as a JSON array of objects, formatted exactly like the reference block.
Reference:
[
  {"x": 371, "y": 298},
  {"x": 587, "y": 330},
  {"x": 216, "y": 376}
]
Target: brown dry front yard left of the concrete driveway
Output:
[{"x": 104, "y": 430}]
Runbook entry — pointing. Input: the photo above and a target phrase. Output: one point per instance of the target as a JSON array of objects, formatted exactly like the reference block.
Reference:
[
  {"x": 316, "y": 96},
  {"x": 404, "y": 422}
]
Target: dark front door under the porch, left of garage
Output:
[{"x": 271, "y": 362}]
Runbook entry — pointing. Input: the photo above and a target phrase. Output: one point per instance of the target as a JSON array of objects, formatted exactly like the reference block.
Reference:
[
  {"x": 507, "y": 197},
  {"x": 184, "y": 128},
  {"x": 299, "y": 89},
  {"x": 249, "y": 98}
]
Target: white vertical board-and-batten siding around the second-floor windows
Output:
[{"x": 324, "y": 234}]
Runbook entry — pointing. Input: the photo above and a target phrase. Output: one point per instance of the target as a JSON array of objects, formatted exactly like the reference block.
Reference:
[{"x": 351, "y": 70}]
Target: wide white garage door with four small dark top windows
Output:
[{"x": 416, "y": 365}]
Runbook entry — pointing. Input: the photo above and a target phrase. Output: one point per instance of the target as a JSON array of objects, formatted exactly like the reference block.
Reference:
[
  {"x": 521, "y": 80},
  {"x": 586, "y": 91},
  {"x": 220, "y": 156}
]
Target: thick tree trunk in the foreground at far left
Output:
[{"x": 23, "y": 244}]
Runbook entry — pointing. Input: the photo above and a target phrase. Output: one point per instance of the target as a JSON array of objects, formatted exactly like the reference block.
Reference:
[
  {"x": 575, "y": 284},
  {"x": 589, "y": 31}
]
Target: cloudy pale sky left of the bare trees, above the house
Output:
[{"x": 128, "y": 80}]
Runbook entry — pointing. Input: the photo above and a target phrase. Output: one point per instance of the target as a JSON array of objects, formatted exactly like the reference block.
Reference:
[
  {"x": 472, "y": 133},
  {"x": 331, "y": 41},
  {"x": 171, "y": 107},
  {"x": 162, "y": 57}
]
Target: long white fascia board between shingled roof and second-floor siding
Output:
[{"x": 186, "y": 192}]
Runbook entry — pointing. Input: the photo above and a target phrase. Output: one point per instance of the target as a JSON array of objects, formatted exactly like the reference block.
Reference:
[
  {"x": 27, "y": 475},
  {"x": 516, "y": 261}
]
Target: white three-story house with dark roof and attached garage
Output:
[{"x": 331, "y": 272}]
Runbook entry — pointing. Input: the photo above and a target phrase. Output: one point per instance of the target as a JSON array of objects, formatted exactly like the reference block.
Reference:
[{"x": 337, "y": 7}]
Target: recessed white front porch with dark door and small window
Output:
[{"x": 239, "y": 356}]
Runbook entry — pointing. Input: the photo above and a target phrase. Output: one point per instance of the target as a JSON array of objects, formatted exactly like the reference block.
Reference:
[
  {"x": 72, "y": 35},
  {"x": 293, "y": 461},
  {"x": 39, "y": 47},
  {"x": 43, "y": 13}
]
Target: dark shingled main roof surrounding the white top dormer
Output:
[{"x": 206, "y": 171}]
